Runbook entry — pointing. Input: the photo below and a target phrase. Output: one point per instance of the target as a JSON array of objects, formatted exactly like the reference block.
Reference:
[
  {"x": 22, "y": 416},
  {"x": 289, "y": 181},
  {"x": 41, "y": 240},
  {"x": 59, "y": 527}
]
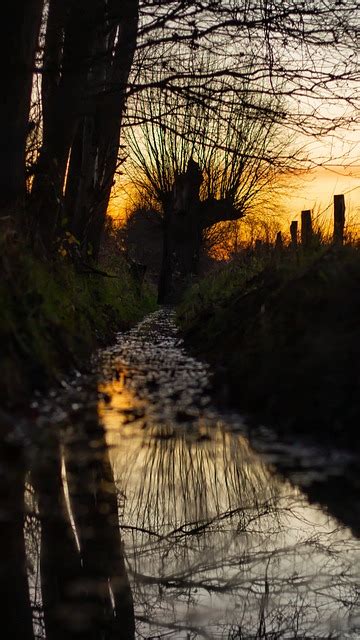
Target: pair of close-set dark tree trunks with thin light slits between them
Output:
[{"x": 87, "y": 57}]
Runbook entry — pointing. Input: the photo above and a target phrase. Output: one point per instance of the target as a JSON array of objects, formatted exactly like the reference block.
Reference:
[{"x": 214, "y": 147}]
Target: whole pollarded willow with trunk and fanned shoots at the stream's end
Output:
[{"x": 204, "y": 160}]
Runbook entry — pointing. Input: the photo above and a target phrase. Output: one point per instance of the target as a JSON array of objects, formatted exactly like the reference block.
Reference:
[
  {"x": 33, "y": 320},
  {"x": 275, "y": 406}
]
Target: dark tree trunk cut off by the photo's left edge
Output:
[{"x": 20, "y": 20}]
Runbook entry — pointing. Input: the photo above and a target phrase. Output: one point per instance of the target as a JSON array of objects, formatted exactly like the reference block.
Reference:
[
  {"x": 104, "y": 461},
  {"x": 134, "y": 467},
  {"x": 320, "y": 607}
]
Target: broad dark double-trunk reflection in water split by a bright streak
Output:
[{"x": 85, "y": 592}]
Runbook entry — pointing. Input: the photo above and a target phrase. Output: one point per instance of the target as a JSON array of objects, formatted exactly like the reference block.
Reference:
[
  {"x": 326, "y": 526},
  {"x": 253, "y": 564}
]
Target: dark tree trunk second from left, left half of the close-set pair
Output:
[{"x": 66, "y": 97}]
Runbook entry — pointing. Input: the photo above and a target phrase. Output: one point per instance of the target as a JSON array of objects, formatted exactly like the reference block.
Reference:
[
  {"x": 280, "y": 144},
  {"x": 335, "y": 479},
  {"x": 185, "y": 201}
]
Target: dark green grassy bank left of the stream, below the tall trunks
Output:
[{"x": 52, "y": 316}]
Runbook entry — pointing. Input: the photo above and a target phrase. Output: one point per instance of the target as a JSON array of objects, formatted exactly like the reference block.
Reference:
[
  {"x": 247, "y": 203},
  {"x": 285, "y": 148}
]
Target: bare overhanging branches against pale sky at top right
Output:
[{"x": 305, "y": 51}]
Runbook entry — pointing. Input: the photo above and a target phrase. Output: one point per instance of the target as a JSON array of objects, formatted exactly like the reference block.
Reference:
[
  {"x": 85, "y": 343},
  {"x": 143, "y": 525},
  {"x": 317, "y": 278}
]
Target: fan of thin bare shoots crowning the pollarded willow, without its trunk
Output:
[{"x": 240, "y": 147}]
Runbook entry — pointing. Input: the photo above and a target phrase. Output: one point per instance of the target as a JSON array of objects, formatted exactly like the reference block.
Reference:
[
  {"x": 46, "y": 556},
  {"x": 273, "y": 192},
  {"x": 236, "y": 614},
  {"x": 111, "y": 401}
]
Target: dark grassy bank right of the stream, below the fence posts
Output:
[{"x": 283, "y": 334}]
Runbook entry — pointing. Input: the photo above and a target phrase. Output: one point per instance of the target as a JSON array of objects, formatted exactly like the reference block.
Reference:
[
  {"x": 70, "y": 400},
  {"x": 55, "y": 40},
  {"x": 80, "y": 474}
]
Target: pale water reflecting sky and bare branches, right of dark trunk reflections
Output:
[{"x": 218, "y": 547}]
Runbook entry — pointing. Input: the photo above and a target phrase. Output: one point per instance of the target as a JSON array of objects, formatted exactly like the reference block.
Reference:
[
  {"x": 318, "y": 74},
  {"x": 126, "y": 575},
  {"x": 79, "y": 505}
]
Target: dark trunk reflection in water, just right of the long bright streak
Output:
[{"x": 93, "y": 499}]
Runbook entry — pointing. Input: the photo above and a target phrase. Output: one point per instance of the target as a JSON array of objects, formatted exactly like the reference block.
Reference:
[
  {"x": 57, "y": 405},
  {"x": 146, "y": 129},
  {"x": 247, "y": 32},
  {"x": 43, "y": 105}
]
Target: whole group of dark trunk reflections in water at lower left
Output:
[{"x": 77, "y": 586}]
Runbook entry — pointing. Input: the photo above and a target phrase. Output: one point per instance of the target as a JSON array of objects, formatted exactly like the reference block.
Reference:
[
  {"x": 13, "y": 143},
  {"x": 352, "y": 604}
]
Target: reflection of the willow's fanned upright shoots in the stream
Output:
[{"x": 178, "y": 481}]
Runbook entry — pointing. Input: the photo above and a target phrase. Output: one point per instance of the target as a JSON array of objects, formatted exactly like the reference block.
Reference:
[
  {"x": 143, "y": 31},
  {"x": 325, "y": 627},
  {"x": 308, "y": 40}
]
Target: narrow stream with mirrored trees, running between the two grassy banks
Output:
[{"x": 148, "y": 514}]
